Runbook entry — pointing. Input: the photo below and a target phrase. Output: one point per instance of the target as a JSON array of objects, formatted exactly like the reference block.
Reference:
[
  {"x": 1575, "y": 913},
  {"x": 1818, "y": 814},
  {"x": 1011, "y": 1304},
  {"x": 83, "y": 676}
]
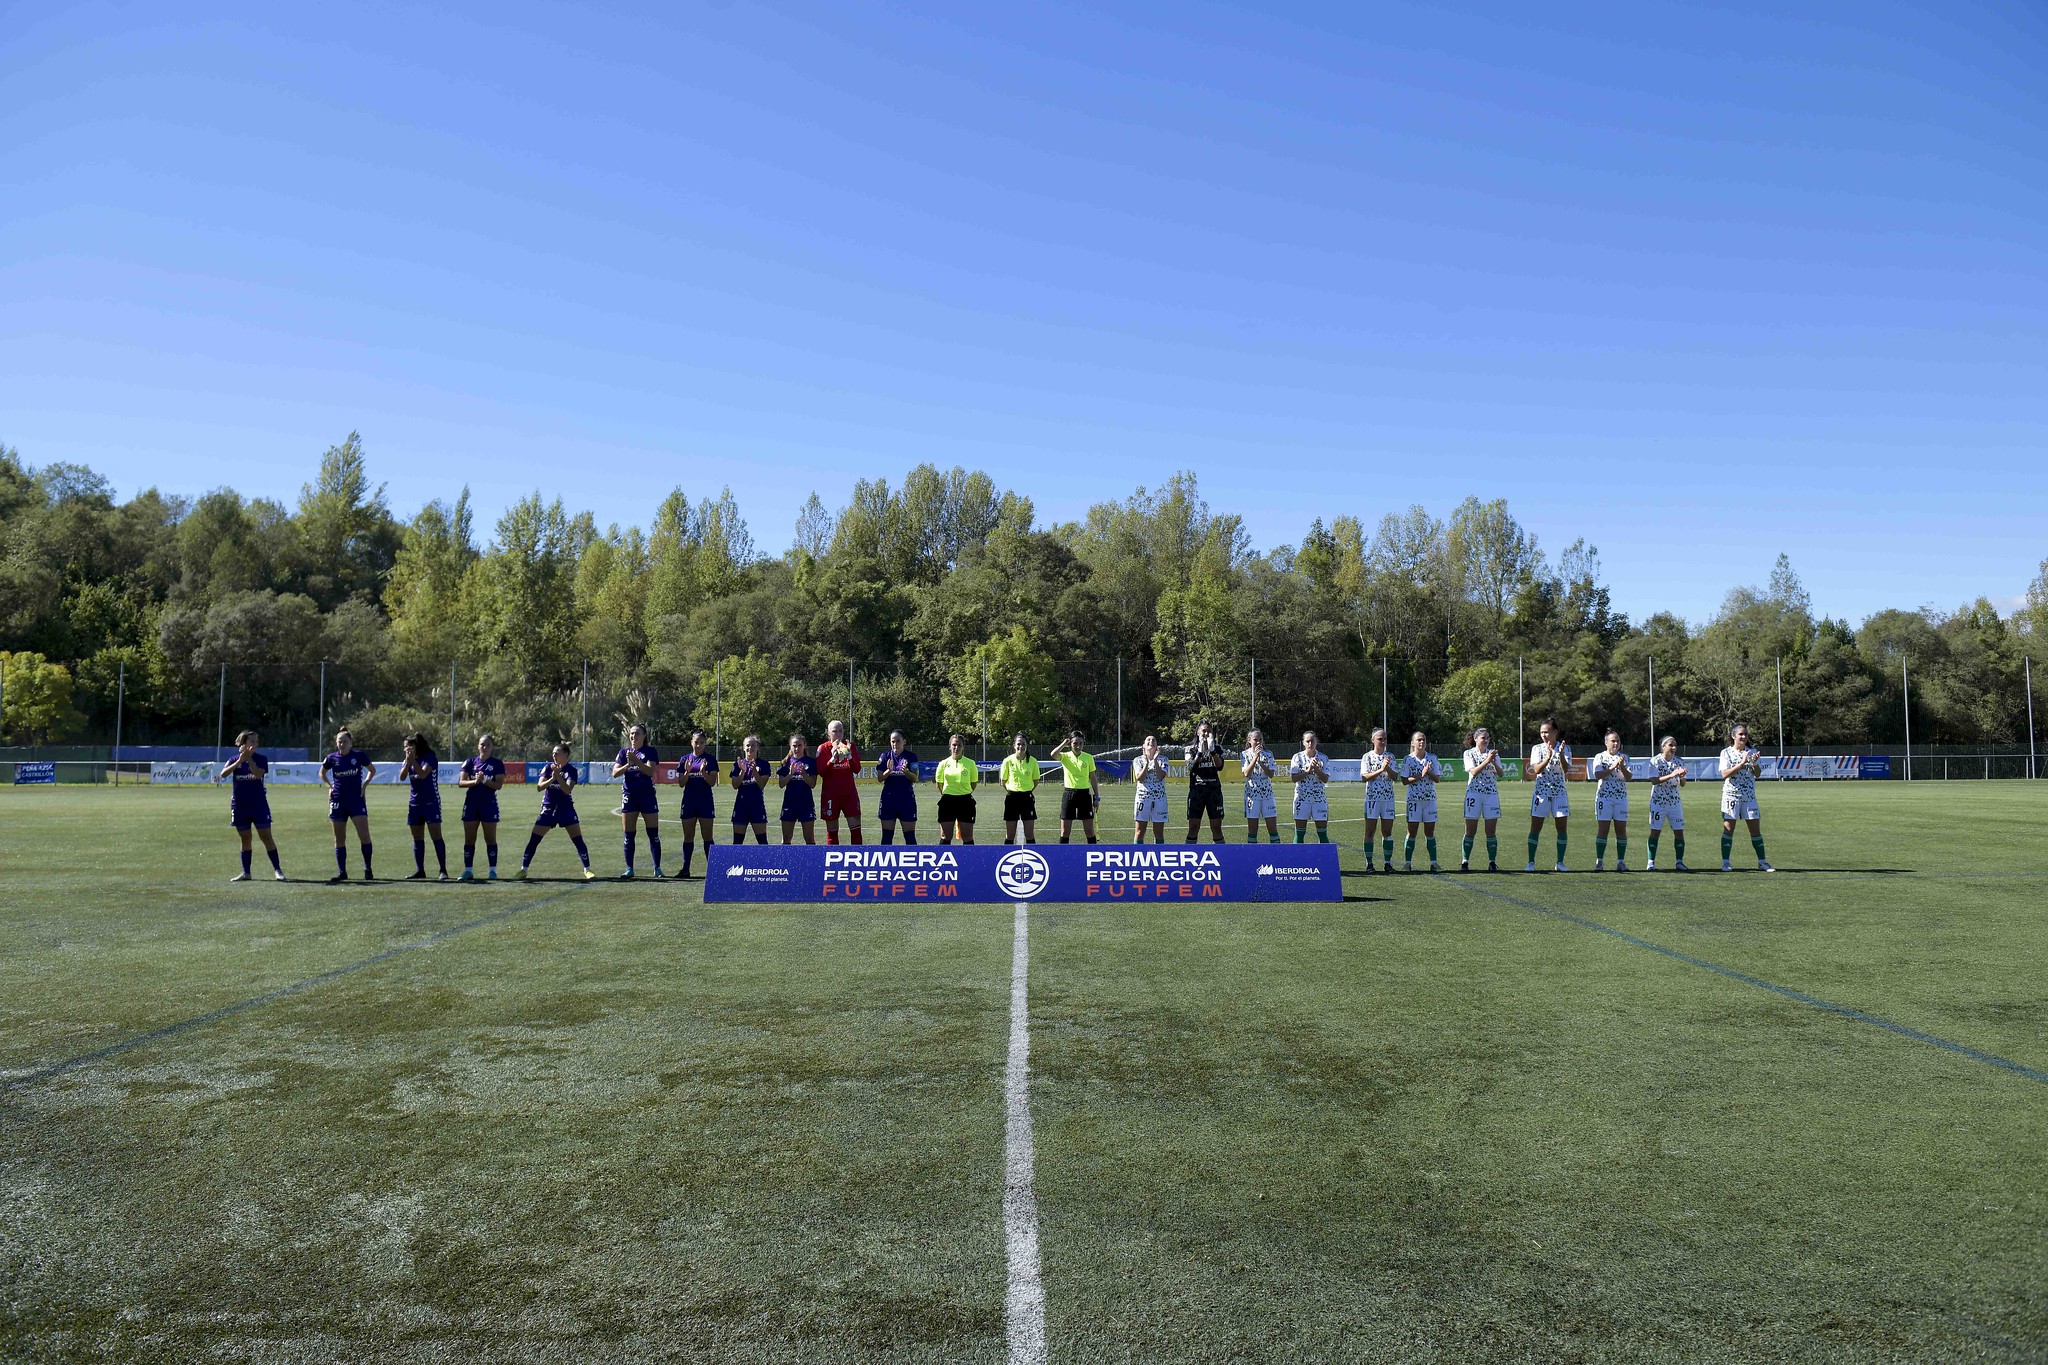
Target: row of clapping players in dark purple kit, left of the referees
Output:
[{"x": 349, "y": 770}]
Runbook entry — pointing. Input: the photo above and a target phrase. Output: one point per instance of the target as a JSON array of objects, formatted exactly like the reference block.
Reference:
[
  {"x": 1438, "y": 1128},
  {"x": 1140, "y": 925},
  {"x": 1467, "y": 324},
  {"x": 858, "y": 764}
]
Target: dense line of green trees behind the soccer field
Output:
[{"x": 923, "y": 599}]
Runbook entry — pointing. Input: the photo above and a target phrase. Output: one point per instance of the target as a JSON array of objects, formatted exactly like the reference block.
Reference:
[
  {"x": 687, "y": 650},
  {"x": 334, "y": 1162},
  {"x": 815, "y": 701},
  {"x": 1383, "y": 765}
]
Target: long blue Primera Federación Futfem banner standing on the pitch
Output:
[{"x": 994, "y": 873}]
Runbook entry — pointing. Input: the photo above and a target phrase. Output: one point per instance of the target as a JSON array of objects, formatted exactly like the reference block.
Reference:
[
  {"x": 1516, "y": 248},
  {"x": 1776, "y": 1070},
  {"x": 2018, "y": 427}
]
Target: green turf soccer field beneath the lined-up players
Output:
[{"x": 1453, "y": 1118}]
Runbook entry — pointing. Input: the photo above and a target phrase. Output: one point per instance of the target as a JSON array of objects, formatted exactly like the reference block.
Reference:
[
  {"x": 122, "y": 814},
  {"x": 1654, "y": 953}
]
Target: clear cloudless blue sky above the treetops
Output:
[{"x": 1697, "y": 281}]
